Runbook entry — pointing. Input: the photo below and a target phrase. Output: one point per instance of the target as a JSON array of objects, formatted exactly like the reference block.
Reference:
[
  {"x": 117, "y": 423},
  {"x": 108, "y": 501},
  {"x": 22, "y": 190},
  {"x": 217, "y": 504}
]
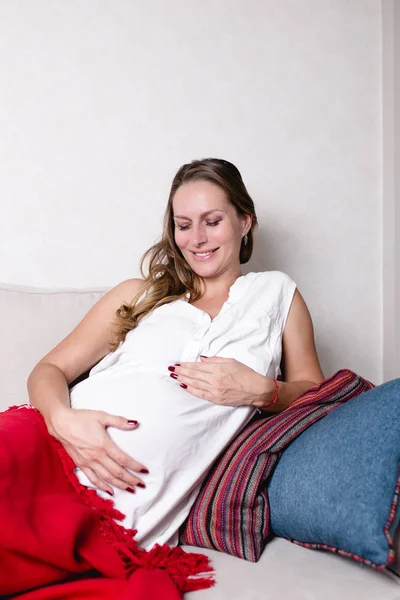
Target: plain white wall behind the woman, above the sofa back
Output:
[{"x": 101, "y": 102}]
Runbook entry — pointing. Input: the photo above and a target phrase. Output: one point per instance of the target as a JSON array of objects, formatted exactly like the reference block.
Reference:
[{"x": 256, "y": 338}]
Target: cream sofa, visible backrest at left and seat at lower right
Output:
[{"x": 33, "y": 320}]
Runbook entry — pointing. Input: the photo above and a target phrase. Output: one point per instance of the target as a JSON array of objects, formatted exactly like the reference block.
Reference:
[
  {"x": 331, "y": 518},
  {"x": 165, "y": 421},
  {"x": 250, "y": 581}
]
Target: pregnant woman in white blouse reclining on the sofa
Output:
[{"x": 179, "y": 360}]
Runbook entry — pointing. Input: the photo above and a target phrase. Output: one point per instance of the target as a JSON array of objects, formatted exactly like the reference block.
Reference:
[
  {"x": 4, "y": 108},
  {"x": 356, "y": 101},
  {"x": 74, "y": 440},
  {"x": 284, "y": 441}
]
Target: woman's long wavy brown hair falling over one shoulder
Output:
[{"x": 169, "y": 275}]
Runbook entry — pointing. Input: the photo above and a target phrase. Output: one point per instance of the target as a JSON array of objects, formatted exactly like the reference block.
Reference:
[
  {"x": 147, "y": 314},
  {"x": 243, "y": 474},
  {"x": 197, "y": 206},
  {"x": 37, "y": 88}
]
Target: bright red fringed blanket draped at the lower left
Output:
[{"x": 59, "y": 540}]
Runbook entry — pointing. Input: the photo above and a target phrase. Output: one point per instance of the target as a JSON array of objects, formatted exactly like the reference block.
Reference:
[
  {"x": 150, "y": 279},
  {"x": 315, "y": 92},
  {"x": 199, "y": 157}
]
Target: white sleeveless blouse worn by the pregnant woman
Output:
[{"x": 180, "y": 435}]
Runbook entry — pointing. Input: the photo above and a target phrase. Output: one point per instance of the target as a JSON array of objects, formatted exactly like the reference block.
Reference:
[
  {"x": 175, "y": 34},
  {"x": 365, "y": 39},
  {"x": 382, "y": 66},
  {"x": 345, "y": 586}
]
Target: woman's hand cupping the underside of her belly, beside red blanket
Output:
[{"x": 84, "y": 436}]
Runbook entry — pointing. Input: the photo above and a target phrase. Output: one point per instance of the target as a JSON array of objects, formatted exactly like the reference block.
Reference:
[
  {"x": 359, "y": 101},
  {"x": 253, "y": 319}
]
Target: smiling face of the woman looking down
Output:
[{"x": 208, "y": 230}]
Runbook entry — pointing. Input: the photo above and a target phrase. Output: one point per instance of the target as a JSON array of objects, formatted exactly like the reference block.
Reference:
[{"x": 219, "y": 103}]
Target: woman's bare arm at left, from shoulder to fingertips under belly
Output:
[{"x": 83, "y": 432}]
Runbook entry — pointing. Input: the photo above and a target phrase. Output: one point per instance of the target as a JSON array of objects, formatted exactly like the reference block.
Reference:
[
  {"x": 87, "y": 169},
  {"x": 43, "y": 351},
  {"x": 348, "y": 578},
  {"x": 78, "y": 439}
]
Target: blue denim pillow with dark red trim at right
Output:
[{"x": 336, "y": 487}]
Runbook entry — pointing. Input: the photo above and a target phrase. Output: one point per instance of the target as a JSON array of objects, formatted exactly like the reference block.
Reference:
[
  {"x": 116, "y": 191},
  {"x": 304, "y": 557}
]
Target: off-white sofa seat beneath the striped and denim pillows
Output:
[{"x": 288, "y": 572}]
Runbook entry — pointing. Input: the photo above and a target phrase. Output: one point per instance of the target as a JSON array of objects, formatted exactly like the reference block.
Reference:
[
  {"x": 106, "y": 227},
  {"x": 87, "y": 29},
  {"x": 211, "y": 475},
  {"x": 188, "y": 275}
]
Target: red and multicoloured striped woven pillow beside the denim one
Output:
[{"x": 231, "y": 513}]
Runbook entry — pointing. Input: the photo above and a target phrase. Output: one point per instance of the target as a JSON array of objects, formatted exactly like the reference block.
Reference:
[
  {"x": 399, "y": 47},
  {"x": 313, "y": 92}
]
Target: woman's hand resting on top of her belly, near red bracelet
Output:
[{"x": 224, "y": 381}]
